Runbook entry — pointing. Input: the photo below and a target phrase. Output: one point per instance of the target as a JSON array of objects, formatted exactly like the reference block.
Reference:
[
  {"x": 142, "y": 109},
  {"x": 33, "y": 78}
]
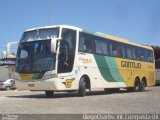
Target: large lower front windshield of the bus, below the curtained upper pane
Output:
[{"x": 35, "y": 57}]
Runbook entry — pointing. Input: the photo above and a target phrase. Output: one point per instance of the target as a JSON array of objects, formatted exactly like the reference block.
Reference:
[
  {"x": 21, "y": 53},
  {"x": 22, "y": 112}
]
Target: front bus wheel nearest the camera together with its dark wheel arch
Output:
[{"x": 84, "y": 83}]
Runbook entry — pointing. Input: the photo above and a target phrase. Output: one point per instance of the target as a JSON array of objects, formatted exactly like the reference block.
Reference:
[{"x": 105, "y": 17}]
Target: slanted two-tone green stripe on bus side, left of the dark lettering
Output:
[{"x": 108, "y": 68}]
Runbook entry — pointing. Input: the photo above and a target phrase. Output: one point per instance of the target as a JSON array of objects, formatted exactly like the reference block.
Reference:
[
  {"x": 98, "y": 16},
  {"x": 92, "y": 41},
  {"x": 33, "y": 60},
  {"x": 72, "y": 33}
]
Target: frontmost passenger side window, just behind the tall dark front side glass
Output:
[{"x": 86, "y": 43}]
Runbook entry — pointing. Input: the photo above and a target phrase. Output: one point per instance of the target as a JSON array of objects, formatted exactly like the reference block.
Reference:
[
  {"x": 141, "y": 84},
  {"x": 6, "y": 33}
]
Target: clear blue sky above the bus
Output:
[{"x": 135, "y": 20}]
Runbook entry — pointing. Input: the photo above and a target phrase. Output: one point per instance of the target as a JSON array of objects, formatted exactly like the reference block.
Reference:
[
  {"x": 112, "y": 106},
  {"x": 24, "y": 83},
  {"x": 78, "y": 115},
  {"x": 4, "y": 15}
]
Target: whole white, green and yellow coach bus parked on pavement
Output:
[{"x": 67, "y": 58}]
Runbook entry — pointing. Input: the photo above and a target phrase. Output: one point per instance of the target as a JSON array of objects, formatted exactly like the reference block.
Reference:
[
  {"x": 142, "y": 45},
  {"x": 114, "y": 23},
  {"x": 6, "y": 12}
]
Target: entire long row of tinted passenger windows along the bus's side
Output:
[{"x": 94, "y": 44}]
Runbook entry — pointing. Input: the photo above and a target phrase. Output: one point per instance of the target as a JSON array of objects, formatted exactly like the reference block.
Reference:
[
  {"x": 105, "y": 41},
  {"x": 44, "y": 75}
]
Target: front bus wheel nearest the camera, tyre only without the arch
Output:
[{"x": 82, "y": 87}]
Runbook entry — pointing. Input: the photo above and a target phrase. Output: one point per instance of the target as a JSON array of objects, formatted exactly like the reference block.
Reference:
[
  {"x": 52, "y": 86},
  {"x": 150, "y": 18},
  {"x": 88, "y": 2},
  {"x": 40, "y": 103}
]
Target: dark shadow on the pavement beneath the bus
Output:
[{"x": 73, "y": 94}]
